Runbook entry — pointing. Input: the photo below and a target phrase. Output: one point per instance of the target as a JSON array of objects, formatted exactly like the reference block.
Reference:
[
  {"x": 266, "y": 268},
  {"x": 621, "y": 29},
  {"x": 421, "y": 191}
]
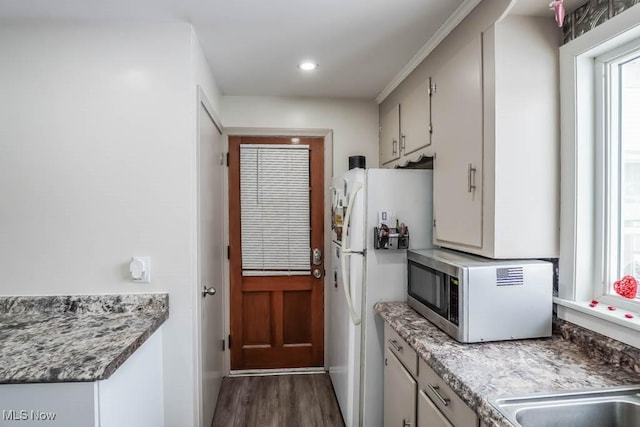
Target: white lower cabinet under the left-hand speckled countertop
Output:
[{"x": 130, "y": 397}]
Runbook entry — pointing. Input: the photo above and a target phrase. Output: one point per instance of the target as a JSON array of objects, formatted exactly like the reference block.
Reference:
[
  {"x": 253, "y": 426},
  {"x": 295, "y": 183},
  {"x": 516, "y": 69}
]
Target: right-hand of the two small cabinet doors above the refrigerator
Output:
[{"x": 415, "y": 119}]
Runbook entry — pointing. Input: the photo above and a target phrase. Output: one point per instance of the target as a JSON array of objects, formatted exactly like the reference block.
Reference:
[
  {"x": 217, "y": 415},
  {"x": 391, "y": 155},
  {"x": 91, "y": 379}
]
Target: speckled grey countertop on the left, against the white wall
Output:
[{"x": 74, "y": 338}]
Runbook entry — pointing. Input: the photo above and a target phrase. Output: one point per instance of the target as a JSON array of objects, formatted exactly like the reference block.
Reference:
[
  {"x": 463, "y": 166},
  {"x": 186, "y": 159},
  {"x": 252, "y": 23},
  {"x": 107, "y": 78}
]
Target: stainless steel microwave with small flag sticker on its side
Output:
[{"x": 475, "y": 299}]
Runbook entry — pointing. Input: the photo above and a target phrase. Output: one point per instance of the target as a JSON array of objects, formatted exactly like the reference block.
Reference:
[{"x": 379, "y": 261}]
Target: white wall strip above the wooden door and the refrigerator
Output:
[{"x": 354, "y": 122}]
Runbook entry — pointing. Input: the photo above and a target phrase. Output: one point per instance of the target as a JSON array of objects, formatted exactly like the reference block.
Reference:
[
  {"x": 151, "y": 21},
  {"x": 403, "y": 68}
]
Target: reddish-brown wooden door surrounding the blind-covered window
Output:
[{"x": 277, "y": 321}]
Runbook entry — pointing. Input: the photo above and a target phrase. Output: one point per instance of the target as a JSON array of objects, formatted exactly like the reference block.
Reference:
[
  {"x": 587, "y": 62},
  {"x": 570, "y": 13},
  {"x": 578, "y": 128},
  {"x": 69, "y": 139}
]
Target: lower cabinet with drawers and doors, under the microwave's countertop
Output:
[{"x": 414, "y": 395}]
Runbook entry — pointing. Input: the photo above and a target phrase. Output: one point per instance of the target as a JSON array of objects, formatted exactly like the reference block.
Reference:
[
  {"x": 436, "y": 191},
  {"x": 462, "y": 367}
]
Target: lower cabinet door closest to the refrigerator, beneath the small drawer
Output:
[{"x": 399, "y": 393}]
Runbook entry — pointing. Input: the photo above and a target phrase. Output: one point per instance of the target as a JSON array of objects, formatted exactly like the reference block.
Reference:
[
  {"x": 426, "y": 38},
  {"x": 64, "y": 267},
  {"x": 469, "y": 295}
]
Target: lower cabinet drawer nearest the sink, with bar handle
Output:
[{"x": 458, "y": 413}]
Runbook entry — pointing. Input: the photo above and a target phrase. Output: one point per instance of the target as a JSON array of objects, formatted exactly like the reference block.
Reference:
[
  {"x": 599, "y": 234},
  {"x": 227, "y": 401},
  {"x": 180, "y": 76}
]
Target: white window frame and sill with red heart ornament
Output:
[{"x": 582, "y": 212}]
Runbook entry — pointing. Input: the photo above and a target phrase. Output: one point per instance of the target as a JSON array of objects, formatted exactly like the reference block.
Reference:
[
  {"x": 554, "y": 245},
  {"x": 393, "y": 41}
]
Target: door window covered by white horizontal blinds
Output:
[{"x": 275, "y": 211}]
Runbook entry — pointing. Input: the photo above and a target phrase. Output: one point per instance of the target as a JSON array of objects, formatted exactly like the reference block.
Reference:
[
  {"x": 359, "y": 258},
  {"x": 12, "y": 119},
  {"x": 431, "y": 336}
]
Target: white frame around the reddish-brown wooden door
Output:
[{"x": 327, "y": 134}]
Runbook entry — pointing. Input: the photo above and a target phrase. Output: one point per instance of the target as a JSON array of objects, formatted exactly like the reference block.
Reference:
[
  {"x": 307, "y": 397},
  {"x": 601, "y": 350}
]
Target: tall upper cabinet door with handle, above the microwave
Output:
[{"x": 457, "y": 133}]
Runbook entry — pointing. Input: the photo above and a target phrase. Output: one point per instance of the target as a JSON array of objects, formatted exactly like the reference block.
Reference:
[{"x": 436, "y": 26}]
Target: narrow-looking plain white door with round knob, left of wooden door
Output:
[{"x": 210, "y": 262}]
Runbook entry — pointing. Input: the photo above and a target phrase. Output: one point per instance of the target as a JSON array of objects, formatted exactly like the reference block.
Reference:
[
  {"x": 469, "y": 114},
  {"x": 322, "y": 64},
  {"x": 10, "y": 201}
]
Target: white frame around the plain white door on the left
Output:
[{"x": 203, "y": 101}]
